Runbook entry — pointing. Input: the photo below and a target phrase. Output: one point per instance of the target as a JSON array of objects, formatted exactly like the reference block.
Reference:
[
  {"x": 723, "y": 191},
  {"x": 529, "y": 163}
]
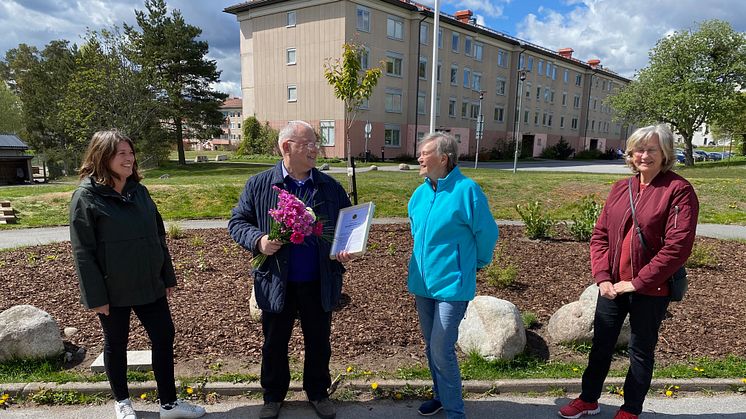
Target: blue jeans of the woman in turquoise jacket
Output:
[{"x": 439, "y": 321}]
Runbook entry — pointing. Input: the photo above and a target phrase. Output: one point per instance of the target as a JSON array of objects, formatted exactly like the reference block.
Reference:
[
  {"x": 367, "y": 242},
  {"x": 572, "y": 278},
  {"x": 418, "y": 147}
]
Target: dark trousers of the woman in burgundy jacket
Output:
[{"x": 645, "y": 316}]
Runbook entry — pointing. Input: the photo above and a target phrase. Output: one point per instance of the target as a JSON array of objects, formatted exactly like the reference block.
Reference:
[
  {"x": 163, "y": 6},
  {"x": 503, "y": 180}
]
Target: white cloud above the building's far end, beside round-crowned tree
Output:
[{"x": 621, "y": 32}]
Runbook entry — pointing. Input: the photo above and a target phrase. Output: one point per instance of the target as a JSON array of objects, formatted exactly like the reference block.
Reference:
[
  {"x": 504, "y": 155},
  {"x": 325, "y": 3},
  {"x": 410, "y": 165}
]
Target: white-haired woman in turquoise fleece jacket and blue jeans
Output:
[{"x": 454, "y": 235}]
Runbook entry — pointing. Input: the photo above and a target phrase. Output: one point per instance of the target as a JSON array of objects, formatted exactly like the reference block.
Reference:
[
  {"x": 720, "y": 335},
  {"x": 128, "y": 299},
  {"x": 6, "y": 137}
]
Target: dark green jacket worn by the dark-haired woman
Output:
[{"x": 119, "y": 245}]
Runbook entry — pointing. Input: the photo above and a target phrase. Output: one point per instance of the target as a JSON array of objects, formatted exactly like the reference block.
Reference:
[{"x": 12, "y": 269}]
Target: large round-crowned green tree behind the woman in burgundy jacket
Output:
[{"x": 691, "y": 79}]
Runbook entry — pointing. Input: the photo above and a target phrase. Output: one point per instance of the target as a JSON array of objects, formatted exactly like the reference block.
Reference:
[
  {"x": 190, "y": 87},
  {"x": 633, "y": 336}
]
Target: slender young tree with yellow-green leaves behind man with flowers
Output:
[{"x": 352, "y": 84}]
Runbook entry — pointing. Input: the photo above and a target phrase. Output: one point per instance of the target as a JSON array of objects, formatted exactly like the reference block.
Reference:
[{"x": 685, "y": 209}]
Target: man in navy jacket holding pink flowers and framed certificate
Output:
[{"x": 296, "y": 280}]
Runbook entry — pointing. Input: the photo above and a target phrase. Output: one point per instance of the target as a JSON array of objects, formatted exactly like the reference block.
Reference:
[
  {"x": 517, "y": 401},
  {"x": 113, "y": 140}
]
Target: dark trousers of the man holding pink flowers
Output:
[{"x": 302, "y": 300}]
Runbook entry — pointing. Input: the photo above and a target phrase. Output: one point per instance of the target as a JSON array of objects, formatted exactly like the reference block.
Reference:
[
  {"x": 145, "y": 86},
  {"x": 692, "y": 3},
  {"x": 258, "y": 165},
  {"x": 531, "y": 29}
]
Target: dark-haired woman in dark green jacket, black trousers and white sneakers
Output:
[{"x": 123, "y": 264}]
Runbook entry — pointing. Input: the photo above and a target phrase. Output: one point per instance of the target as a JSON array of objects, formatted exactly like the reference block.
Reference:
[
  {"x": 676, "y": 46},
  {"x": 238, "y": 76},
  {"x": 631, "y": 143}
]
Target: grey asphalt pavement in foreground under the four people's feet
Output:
[{"x": 717, "y": 406}]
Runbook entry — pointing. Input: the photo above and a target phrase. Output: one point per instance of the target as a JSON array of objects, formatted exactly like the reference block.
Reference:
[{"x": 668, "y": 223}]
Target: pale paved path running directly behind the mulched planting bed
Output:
[{"x": 44, "y": 235}]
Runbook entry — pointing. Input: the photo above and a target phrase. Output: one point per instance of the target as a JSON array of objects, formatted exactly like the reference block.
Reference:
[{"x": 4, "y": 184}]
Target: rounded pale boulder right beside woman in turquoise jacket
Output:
[{"x": 492, "y": 328}]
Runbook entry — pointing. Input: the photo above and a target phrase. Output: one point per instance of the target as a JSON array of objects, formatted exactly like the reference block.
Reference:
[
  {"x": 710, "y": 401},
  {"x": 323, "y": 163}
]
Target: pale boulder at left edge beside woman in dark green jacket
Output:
[{"x": 27, "y": 332}]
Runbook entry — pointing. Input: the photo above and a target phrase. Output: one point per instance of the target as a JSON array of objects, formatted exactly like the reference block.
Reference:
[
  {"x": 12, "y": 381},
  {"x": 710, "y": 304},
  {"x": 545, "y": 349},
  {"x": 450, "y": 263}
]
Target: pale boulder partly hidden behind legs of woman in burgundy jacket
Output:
[{"x": 573, "y": 322}]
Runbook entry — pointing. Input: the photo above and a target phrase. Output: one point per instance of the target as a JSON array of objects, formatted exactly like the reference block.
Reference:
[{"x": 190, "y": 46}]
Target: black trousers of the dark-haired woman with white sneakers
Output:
[{"x": 156, "y": 319}]
